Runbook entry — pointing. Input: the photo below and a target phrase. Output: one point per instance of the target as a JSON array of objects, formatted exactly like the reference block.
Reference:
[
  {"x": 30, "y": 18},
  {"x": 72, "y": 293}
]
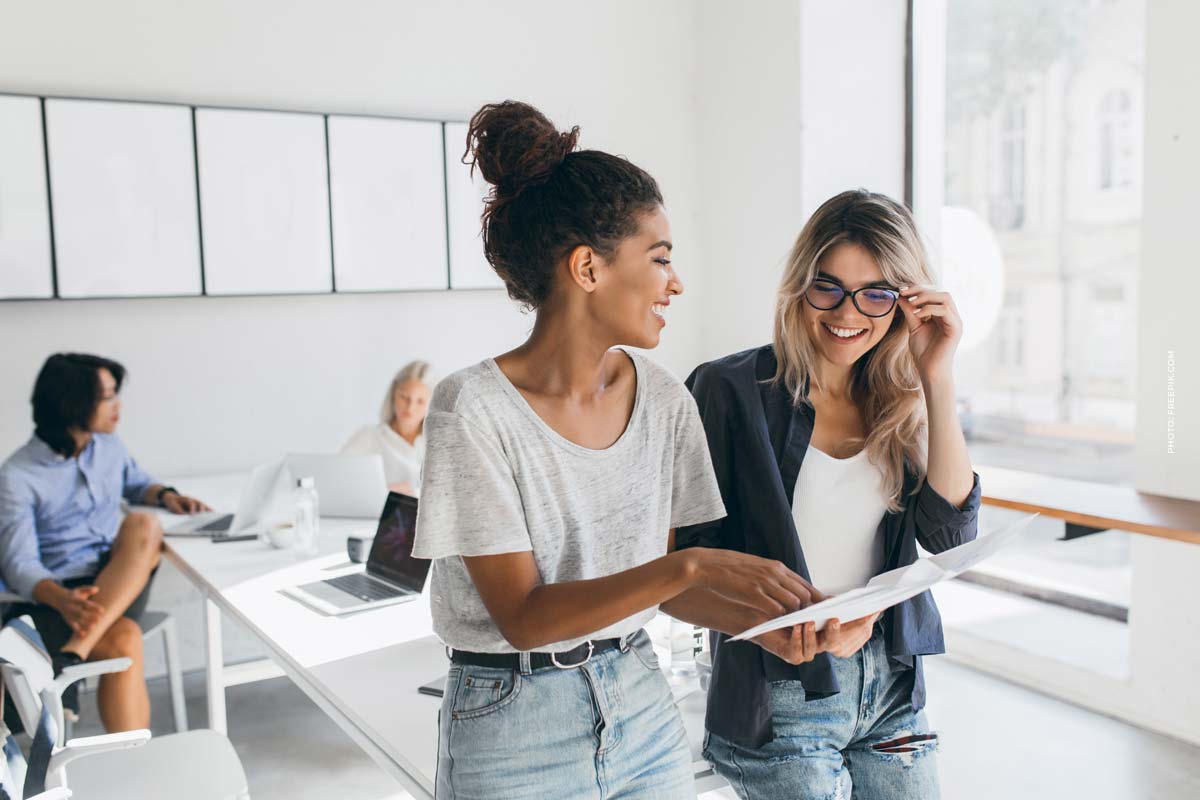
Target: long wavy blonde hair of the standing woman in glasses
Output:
[{"x": 885, "y": 383}]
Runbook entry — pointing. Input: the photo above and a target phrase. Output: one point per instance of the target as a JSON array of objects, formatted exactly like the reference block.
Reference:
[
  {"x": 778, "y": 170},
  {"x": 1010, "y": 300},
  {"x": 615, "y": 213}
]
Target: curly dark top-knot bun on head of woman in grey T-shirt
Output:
[{"x": 514, "y": 146}]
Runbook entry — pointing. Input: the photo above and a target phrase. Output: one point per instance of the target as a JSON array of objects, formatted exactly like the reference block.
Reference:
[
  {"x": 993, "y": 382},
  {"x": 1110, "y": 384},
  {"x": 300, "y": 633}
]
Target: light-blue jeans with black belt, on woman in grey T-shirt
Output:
[{"x": 603, "y": 731}]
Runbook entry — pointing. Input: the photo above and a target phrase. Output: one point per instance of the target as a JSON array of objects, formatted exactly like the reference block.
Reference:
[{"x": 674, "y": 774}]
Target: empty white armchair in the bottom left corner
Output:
[{"x": 194, "y": 766}]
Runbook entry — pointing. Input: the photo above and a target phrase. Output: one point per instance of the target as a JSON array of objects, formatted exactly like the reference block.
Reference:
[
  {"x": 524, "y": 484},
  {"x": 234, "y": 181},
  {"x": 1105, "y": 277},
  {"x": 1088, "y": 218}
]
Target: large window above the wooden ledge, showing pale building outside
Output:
[{"x": 1027, "y": 130}]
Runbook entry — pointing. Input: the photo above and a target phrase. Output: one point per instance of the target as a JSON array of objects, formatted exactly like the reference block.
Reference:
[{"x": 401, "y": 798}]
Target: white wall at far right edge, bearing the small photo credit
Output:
[{"x": 1167, "y": 594}]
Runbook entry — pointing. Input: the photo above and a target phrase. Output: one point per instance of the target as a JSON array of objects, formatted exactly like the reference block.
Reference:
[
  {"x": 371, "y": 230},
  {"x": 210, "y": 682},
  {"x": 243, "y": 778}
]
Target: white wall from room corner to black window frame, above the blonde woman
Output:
[{"x": 801, "y": 100}]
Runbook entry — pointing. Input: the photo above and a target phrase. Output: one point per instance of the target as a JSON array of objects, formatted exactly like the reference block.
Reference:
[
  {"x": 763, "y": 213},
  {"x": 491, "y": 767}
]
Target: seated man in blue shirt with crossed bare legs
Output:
[{"x": 82, "y": 569}]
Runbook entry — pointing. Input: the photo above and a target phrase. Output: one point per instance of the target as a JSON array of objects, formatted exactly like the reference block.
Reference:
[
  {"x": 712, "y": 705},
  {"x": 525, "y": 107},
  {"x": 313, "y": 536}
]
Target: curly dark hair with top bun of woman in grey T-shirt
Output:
[{"x": 548, "y": 199}]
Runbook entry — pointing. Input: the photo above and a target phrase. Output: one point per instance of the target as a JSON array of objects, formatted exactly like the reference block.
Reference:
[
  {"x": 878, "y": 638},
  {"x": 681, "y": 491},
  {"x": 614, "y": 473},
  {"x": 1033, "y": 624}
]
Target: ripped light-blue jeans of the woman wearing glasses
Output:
[{"x": 863, "y": 743}]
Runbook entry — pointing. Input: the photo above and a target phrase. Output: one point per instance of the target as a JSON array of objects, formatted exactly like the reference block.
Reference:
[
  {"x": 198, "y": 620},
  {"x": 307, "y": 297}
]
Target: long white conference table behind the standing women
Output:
[{"x": 362, "y": 670}]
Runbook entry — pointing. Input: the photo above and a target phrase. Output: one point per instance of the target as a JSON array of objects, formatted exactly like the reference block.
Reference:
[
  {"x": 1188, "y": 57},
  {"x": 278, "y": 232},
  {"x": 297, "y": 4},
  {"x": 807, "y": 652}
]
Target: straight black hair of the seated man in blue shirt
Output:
[{"x": 67, "y": 395}]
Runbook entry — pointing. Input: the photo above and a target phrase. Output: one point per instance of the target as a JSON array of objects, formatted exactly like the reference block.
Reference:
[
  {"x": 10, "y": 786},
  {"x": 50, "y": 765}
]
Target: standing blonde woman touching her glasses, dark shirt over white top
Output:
[{"x": 838, "y": 450}]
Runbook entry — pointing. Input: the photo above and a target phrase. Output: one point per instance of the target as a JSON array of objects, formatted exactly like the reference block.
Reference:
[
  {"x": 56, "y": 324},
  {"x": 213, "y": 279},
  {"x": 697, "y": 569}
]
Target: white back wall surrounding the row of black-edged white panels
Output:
[{"x": 219, "y": 384}]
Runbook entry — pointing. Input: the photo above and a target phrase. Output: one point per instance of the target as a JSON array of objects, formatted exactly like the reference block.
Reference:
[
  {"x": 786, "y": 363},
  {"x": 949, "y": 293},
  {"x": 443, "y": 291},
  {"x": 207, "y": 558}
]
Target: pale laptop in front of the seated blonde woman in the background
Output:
[{"x": 347, "y": 486}]
